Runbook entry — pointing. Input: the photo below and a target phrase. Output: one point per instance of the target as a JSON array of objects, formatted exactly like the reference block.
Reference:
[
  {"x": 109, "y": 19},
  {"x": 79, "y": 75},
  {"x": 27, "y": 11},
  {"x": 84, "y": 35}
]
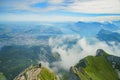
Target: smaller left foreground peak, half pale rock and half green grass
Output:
[{"x": 36, "y": 73}]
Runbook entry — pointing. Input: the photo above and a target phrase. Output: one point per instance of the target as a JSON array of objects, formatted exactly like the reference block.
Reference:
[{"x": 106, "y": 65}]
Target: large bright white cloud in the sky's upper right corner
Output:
[{"x": 95, "y": 6}]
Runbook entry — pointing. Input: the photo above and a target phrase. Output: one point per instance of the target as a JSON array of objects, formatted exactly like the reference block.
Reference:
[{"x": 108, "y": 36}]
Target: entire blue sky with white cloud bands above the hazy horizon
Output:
[{"x": 59, "y": 10}]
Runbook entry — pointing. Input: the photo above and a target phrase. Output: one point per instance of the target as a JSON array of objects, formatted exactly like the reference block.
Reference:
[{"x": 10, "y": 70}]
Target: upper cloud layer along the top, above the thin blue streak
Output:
[{"x": 82, "y": 6}]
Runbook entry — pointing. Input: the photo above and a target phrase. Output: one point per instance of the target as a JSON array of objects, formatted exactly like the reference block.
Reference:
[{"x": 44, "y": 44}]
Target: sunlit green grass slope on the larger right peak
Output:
[{"x": 98, "y": 68}]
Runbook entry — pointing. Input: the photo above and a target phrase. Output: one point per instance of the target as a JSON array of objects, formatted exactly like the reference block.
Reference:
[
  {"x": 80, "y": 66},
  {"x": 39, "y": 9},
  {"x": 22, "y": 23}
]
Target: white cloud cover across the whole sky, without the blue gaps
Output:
[{"x": 81, "y": 6}]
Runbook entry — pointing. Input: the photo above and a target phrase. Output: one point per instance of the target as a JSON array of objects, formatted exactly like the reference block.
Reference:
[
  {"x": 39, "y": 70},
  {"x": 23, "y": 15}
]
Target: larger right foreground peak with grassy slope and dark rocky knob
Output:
[{"x": 100, "y": 67}]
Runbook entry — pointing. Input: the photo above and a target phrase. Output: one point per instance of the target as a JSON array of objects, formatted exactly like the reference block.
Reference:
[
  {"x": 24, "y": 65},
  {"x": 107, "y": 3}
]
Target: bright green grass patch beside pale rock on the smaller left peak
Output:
[{"x": 45, "y": 74}]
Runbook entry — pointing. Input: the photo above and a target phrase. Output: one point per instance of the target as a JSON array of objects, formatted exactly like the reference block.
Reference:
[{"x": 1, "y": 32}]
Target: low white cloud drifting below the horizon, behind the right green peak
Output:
[{"x": 82, "y": 47}]
